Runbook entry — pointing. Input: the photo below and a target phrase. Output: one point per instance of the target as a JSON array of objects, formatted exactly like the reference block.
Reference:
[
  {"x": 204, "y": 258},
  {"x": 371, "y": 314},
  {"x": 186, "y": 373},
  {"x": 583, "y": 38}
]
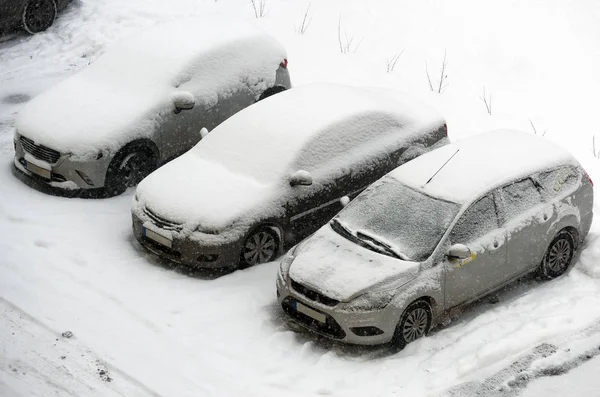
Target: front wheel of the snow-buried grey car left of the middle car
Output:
[{"x": 128, "y": 168}]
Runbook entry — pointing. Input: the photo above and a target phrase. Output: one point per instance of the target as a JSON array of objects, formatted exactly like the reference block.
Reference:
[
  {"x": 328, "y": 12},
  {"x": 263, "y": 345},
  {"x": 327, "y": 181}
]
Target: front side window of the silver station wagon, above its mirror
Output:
[{"x": 478, "y": 220}]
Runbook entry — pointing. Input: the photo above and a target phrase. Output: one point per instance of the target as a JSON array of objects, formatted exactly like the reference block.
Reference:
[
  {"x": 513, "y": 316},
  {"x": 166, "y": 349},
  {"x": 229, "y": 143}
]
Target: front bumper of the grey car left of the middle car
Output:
[{"x": 63, "y": 171}]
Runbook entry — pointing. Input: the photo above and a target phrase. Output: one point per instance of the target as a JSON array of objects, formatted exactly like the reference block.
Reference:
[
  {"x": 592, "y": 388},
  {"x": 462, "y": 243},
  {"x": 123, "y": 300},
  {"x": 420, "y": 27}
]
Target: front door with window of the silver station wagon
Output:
[{"x": 478, "y": 229}]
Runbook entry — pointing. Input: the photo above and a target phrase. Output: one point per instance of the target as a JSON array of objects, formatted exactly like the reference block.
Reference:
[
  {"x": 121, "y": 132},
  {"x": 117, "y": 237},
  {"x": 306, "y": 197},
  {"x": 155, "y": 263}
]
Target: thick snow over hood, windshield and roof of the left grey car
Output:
[{"x": 124, "y": 93}]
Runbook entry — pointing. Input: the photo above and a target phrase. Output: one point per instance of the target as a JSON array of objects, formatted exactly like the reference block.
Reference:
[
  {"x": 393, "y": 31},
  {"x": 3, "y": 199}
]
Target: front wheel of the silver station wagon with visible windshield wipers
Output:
[{"x": 414, "y": 324}]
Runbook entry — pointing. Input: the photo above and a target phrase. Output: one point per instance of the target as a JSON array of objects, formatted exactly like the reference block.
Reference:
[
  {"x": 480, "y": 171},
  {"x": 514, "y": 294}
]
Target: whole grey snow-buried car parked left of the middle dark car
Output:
[{"x": 145, "y": 101}]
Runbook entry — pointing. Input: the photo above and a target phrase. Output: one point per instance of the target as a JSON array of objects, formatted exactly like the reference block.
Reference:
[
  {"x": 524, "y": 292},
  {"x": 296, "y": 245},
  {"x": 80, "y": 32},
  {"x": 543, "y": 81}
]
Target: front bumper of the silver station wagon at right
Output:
[{"x": 339, "y": 325}]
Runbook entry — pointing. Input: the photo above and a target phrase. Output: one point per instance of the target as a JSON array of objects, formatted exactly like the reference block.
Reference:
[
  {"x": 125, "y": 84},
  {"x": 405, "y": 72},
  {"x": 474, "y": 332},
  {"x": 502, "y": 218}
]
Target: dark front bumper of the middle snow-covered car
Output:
[{"x": 180, "y": 249}]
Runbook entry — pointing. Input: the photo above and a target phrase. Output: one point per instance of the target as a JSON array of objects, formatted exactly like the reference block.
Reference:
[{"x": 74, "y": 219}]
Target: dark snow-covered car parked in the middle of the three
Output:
[{"x": 277, "y": 171}]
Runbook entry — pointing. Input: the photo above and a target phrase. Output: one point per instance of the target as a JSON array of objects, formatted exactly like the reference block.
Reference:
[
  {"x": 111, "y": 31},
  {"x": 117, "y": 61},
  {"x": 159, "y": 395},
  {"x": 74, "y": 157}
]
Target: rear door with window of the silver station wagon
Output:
[{"x": 526, "y": 219}]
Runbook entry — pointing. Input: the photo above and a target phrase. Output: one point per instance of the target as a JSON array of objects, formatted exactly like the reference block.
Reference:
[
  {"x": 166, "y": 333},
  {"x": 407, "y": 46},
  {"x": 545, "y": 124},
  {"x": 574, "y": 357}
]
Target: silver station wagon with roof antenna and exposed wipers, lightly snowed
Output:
[{"x": 439, "y": 232}]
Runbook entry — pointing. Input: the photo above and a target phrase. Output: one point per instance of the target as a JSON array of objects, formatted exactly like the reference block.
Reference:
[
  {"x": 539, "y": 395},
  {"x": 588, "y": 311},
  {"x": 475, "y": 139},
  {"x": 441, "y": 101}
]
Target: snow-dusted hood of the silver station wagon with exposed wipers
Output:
[{"x": 343, "y": 270}]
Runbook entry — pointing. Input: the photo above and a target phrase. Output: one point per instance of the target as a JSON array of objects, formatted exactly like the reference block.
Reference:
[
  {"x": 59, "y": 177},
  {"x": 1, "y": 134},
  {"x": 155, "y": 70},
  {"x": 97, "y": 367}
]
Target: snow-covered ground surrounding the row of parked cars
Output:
[{"x": 142, "y": 328}]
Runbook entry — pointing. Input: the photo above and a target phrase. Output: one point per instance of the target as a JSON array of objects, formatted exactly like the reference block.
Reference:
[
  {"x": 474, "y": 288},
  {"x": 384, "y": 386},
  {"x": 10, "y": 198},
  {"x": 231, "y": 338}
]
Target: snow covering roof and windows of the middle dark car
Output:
[{"x": 310, "y": 123}]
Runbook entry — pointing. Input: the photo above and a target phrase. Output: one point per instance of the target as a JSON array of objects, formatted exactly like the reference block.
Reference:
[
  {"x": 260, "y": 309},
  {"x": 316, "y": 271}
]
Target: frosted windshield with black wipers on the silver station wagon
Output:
[{"x": 396, "y": 220}]
